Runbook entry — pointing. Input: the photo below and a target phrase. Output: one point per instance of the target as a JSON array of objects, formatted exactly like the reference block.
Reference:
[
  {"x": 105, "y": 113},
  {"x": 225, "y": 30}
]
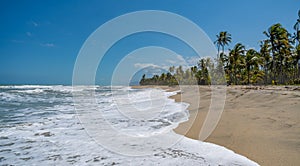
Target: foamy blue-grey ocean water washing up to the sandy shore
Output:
[{"x": 98, "y": 125}]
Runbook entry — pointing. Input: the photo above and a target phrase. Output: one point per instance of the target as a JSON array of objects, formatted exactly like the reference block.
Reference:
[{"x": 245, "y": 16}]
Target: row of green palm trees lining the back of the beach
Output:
[{"x": 276, "y": 62}]
